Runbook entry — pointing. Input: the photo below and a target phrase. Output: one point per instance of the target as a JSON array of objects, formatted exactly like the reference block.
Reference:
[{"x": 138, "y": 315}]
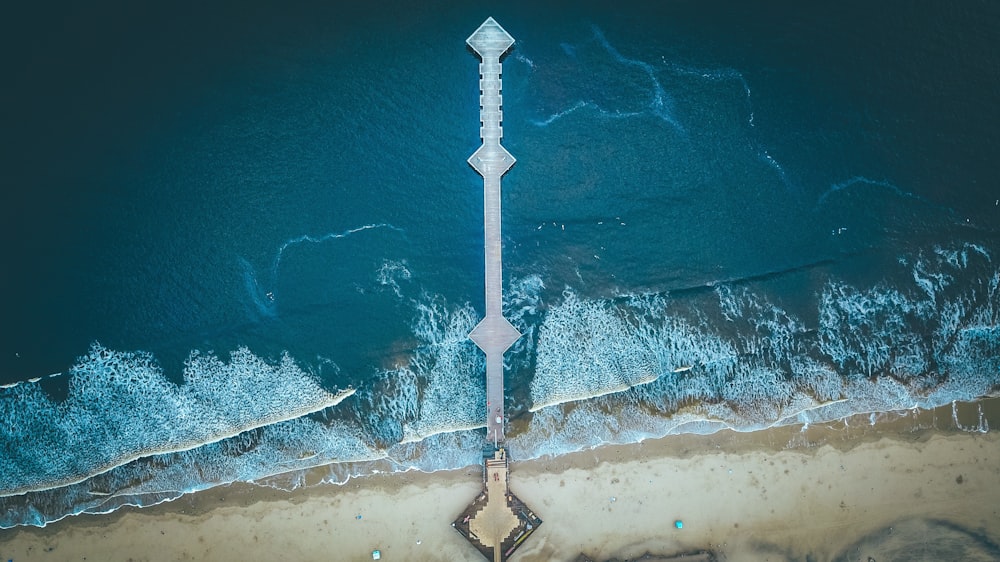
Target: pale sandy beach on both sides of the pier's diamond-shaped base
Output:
[{"x": 911, "y": 488}]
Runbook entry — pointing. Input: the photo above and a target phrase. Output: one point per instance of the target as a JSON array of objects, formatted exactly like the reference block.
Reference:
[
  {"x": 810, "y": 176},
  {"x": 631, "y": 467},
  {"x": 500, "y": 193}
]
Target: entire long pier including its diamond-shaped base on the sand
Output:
[{"x": 497, "y": 522}]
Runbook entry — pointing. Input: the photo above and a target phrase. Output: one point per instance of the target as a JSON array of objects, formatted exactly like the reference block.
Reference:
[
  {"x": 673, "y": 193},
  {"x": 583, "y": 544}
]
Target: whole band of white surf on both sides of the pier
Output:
[{"x": 596, "y": 371}]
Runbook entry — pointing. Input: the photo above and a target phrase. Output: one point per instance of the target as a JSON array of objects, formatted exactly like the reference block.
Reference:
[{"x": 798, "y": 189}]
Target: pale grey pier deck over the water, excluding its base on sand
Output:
[{"x": 494, "y": 334}]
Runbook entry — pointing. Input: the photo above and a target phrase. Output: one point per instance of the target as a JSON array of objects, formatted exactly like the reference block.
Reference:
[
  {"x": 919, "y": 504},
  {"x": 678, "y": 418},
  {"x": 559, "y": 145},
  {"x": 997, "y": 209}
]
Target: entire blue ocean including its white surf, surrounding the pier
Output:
[{"x": 243, "y": 241}]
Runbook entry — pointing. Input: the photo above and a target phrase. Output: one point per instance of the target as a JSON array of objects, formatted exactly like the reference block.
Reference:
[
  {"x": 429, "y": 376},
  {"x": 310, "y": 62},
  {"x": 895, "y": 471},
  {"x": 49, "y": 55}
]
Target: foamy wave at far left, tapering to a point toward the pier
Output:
[{"x": 121, "y": 407}]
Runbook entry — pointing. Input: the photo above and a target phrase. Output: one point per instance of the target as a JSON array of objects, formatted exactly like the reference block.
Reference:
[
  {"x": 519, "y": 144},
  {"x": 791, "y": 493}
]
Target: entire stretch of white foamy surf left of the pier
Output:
[{"x": 245, "y": 420}]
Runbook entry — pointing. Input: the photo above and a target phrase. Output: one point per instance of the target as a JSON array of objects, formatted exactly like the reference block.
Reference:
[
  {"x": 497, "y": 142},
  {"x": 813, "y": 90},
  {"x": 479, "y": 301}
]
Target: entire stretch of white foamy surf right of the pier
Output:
[{"x": 743, "y": 362}]
